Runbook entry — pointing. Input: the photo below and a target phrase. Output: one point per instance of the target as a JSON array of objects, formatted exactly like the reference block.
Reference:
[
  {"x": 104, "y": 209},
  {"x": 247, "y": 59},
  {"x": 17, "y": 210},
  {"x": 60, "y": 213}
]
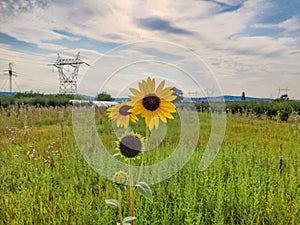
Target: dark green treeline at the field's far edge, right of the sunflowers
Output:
[{"x": 281, "y": 109}]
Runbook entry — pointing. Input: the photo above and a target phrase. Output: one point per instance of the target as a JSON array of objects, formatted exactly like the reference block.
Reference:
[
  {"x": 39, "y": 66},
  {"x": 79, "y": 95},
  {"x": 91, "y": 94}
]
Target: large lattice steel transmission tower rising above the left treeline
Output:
[{"x": 68, "y": 82}]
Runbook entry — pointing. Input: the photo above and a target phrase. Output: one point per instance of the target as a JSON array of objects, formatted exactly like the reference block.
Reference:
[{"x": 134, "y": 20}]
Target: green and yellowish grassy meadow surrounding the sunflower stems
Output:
[{"x": 45, "y": 180}]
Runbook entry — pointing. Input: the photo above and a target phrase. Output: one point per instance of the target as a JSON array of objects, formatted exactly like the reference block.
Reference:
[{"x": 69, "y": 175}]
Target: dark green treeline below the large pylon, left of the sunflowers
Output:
[{"x": 35, "y": 99}]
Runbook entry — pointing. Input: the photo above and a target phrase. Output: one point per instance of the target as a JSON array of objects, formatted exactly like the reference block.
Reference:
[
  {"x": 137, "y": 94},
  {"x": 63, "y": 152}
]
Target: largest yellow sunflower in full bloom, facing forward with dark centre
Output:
[{"x": 153, "y": 104}]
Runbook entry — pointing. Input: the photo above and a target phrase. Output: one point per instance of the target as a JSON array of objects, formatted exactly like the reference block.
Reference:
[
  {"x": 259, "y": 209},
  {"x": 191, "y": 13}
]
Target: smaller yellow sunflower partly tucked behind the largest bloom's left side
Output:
[{"x": 121, "y": 114}]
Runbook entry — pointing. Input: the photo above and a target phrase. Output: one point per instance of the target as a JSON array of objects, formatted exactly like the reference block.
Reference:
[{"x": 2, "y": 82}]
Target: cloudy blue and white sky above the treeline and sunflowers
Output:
[{"x": 204, "y": 47}]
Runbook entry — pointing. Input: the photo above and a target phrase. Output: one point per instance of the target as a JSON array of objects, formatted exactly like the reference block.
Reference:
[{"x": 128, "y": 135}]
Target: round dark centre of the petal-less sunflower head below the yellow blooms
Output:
[{"x": 130, "y": 146}]
